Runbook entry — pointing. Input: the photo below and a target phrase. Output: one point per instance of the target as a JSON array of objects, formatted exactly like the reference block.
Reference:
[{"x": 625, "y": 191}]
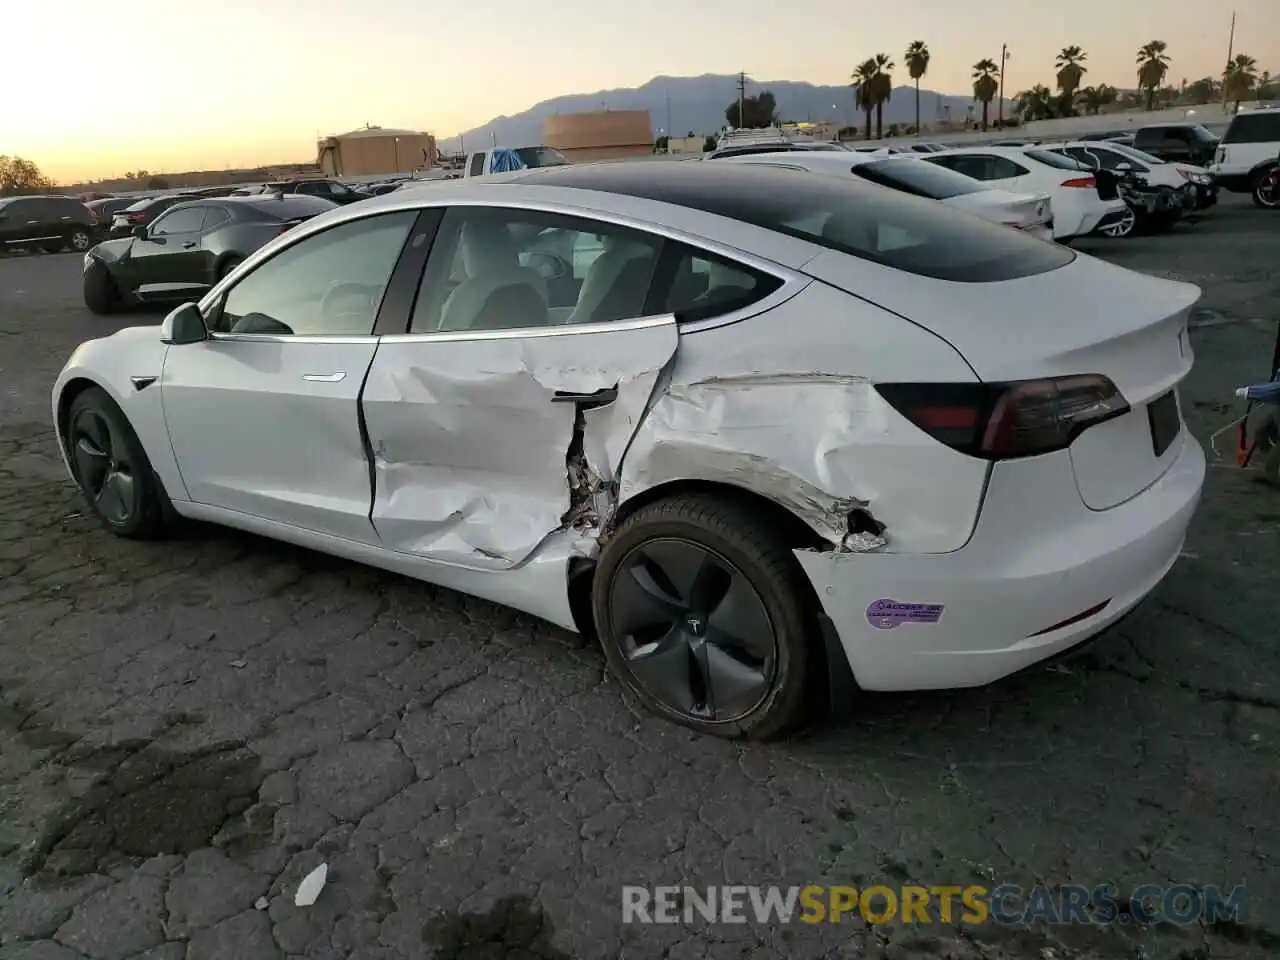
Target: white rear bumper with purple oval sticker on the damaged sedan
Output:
[{"x": 1039, "y": 559}]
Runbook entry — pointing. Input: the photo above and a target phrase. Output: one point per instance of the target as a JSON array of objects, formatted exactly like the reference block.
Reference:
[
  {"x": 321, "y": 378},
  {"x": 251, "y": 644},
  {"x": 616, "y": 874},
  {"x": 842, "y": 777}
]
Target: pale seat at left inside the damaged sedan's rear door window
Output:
[{"x": 499, "y": 292}]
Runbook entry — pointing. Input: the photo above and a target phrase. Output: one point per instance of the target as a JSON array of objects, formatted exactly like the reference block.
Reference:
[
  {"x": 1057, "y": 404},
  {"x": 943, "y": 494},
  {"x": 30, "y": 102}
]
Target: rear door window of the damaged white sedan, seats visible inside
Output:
[{"x": 495, "y": 269}]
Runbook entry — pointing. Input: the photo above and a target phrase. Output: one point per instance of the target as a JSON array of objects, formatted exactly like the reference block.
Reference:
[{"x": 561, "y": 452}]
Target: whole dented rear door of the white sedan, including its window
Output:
[{"x": 502, "y": 415}]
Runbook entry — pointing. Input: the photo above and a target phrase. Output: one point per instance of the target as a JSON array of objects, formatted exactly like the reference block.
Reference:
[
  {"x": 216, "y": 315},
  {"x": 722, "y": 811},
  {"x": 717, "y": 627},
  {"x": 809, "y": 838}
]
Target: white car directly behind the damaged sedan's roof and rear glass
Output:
[{"x": 1025, "y": 212}]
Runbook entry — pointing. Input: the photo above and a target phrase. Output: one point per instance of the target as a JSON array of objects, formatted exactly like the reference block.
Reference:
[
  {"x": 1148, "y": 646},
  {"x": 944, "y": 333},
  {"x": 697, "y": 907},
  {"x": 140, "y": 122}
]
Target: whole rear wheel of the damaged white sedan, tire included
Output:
[{"x": 732, "y": 548}]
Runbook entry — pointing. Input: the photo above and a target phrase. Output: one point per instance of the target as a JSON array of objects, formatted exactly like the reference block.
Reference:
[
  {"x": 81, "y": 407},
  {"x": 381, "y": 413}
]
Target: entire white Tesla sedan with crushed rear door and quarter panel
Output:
[{"x": 771, "y": 438}]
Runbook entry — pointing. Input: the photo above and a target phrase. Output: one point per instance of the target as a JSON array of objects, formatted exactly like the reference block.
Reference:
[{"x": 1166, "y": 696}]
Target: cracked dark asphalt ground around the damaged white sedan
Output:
[{"x": 189, "y": 729}]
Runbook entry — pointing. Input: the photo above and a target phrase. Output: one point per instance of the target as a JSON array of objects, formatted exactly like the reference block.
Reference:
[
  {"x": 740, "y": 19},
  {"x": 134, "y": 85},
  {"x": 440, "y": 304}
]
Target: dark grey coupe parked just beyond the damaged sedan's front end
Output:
[{"x": 189, "y": 249}]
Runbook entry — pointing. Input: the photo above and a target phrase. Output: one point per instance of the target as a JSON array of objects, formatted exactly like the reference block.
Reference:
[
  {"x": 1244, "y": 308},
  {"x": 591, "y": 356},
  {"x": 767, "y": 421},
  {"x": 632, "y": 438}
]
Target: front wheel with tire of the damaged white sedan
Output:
[{"x": 103, "y": 449}]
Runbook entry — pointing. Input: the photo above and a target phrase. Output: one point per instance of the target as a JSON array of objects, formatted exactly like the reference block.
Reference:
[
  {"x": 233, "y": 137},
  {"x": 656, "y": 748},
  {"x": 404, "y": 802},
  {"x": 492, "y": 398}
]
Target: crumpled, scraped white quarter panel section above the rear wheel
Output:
[{"x": 822, "y": 446}]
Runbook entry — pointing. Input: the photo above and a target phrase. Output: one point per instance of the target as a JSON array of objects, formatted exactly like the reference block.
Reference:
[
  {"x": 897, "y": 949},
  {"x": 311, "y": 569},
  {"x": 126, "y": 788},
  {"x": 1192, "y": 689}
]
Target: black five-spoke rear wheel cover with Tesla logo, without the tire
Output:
[{"x": 694, "y": 630}]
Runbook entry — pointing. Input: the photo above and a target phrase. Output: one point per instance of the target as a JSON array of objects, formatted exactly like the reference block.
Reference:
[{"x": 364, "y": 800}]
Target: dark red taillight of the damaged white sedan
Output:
[{"x": 1008, "y": 420}]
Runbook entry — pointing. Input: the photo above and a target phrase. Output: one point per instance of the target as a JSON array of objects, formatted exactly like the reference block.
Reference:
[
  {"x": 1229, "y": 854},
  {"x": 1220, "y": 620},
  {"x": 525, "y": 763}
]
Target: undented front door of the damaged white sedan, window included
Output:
[{"x": 264, "y": 417}]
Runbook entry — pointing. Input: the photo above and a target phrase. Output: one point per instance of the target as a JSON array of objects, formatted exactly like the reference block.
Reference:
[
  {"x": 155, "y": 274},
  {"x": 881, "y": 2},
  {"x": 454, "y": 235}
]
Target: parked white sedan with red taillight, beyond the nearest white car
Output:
[{"x": 1080, "y": 204}]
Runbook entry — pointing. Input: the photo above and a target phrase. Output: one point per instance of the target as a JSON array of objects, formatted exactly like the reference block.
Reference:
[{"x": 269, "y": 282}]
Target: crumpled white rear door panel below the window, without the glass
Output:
[{"x": 486, "y": 444}]
